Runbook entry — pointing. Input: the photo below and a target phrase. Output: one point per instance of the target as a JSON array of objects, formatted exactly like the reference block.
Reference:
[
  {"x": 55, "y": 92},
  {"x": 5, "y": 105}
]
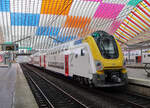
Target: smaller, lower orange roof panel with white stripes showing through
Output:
[{"x": 77, "y": 22}]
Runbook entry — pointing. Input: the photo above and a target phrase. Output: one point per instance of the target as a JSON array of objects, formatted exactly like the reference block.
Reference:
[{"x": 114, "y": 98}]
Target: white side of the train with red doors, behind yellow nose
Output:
[{"x": 69, "y": 63}]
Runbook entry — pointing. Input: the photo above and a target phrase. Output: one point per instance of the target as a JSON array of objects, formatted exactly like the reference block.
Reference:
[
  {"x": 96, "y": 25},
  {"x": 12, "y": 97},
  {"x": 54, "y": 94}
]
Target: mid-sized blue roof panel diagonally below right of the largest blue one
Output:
[{"x": 47, "y": 31}]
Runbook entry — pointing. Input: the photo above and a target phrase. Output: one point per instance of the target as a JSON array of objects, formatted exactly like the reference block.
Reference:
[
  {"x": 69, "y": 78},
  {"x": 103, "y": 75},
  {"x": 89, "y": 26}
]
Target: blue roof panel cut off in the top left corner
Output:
[{"x": 5, "y": 5}]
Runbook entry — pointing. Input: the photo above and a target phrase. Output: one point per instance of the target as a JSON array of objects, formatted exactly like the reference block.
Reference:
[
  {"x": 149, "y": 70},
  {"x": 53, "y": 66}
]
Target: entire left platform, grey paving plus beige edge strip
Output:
[{"x": 14, "y": 90}]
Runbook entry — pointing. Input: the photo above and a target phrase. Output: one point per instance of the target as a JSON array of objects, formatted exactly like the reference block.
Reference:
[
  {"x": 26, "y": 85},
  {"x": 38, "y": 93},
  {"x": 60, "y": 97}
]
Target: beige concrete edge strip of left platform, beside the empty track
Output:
[{"x": 23, "y": 95}]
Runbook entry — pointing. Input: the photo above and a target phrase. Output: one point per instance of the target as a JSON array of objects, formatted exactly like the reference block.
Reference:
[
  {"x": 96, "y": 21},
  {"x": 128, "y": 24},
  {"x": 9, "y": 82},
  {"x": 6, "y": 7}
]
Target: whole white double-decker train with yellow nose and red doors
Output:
[{"x": 96, "y": 60}]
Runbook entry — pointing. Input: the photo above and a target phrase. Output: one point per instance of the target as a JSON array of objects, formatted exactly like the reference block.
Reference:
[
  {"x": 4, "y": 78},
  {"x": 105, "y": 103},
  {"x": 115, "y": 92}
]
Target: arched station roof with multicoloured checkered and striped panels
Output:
[{"x": 41, "y": 24}]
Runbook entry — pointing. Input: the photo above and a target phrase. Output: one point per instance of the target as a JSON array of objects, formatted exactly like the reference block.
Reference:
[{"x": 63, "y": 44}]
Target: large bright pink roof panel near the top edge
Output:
[{"x": 107, "y": 10}]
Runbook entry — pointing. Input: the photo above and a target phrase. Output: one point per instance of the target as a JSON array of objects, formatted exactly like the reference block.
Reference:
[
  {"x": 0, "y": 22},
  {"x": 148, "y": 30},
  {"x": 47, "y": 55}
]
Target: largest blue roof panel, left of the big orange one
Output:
[{"x": 24, "y": 19}]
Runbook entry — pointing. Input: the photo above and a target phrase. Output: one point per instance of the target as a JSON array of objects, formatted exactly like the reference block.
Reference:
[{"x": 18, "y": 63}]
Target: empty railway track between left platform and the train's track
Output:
[{"x": 47, "y": 94}]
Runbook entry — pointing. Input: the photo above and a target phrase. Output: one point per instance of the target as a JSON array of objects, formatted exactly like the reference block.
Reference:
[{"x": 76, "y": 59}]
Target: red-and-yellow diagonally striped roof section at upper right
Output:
[{"x": 137, "y": 21}]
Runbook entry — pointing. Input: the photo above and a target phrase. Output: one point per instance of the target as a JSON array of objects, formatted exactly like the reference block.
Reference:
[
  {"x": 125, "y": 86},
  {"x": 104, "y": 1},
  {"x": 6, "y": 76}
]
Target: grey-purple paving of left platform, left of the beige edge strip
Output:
[{"x": 7, "y": 86}]
